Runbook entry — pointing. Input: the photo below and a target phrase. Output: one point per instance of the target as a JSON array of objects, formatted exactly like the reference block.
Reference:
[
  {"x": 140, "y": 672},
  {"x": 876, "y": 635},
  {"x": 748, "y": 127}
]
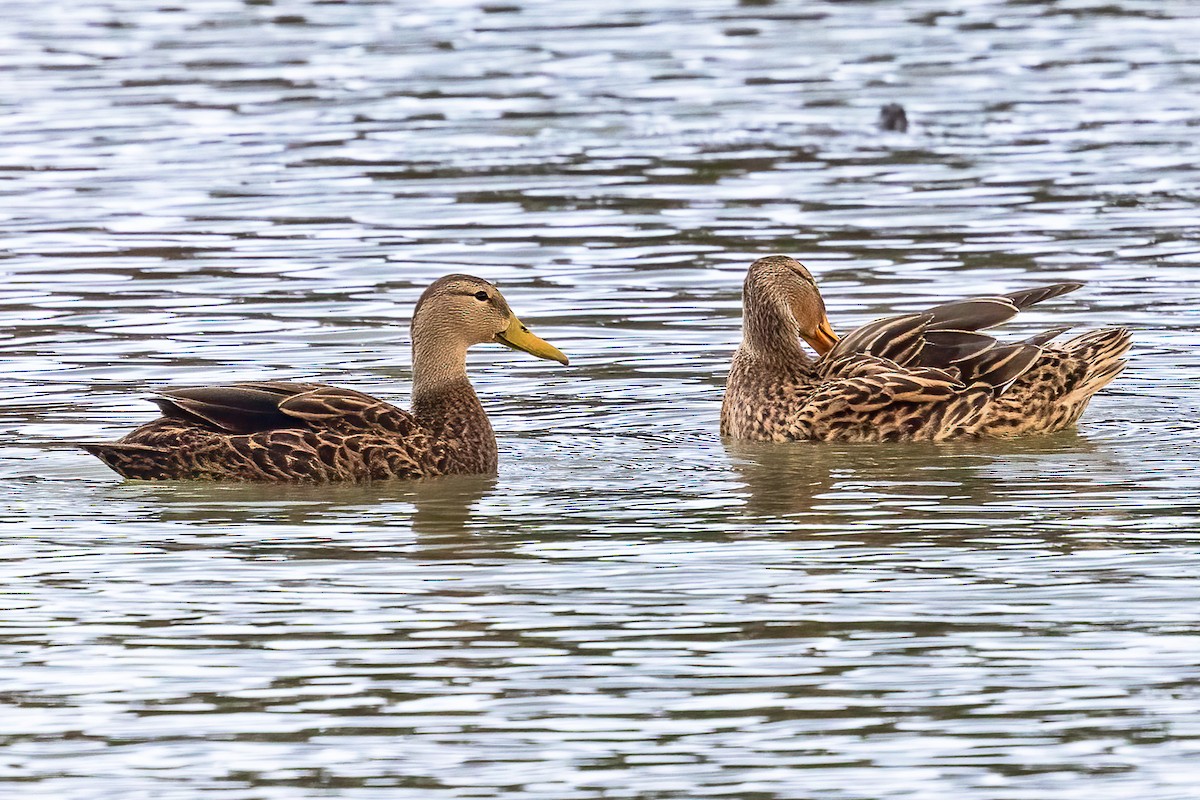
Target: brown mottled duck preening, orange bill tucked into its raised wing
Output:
[{"x": 931, "y": 376}]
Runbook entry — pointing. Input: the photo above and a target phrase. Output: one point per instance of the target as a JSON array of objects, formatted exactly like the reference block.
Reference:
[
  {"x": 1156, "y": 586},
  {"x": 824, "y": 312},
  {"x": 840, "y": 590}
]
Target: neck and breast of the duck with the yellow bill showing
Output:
[{"x": 448, "y": 407}]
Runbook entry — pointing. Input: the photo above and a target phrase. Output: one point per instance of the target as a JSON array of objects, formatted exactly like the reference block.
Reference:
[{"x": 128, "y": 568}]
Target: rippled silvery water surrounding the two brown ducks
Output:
[{"x": 215, "y": 190}]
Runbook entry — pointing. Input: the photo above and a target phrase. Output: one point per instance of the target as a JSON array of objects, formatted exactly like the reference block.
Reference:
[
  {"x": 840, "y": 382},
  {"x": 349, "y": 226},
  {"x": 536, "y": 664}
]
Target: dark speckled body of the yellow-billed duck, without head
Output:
[{"x": 301, "y": 434}]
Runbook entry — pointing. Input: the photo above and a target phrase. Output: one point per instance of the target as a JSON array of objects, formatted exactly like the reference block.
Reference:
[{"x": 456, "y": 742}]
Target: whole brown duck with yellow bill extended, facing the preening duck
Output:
[{"x": 315, "y": 434}]
